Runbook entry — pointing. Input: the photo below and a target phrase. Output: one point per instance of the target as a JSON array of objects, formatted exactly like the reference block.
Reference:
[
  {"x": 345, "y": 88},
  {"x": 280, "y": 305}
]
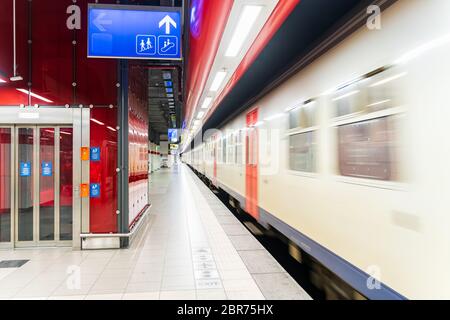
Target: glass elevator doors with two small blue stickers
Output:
[{"x": 43, "y": 186}]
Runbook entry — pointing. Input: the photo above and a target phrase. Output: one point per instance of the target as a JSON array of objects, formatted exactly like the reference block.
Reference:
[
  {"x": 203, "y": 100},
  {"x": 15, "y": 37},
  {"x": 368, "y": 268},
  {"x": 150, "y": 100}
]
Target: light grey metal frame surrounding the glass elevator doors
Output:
[{"x": 55, "y": 116}]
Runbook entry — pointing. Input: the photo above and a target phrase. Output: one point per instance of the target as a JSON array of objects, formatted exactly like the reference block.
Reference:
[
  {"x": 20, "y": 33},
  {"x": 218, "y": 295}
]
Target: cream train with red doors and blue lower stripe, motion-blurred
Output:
[{"x": 349, "y": 158}]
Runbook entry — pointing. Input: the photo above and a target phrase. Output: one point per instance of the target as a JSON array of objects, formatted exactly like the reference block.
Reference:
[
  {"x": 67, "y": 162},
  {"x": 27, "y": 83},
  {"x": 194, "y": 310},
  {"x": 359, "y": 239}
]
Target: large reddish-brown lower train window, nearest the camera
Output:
[{"x": 365, "y": 149}]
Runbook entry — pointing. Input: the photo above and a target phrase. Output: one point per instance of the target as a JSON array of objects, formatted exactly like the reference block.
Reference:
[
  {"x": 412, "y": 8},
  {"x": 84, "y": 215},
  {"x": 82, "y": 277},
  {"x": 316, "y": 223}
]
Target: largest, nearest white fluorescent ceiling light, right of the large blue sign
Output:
[{"x": 246, "y": 21}]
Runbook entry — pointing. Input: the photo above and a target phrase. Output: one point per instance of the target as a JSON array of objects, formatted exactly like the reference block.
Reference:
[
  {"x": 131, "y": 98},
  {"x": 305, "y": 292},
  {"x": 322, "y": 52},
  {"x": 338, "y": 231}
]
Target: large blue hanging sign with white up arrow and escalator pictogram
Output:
[{"x": 134, "y": 32}]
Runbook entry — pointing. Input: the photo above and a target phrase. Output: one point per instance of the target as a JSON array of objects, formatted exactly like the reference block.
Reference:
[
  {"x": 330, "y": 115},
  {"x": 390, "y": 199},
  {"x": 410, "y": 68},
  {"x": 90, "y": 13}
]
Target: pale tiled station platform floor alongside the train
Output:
[{"x": 192, "y": 247}]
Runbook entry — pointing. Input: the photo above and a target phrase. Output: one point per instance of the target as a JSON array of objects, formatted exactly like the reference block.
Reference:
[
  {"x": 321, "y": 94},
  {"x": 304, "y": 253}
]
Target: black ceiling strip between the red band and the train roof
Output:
[{"x": 309, "y": 23}]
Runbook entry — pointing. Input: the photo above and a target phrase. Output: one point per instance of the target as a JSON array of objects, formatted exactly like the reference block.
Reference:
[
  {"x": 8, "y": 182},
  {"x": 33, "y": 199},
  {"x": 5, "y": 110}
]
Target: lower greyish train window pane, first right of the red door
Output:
[{"x": 302, "y": 152}]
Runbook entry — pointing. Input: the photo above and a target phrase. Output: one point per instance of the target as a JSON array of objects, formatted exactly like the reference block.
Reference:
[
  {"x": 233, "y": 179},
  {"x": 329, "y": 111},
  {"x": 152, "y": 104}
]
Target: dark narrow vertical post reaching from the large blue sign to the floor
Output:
[{"x": 123, "y": 195}]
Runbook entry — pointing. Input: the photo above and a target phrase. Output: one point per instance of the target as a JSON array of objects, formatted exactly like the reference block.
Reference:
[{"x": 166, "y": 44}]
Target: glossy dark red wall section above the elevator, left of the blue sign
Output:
[{"x": 56, "y": 62}]
